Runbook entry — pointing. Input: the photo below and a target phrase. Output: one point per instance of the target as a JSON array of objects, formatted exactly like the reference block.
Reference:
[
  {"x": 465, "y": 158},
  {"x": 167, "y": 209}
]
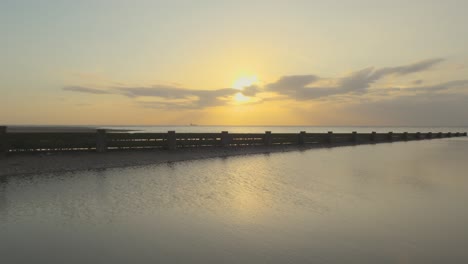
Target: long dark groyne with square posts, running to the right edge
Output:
[{"x": 103, "y": 140}]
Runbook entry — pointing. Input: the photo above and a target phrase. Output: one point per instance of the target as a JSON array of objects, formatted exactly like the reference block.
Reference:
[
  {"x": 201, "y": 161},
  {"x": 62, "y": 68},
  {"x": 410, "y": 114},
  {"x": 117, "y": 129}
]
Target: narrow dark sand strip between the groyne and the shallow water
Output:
[{"x": 22, "y": 164}]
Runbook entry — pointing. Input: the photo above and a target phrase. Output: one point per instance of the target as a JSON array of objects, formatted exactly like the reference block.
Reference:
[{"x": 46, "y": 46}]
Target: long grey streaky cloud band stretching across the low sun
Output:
[{"x": 360, "y": 86}]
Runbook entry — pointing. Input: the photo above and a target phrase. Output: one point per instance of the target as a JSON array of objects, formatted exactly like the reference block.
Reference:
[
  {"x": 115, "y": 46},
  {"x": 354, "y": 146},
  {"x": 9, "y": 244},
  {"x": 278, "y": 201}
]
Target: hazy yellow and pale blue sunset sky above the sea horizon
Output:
[{"x": 116, "y": 62}]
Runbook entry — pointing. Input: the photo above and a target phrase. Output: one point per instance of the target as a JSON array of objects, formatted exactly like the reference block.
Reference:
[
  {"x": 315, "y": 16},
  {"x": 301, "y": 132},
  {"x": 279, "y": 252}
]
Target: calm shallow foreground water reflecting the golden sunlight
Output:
[{"x": 404, "y": 202}]
